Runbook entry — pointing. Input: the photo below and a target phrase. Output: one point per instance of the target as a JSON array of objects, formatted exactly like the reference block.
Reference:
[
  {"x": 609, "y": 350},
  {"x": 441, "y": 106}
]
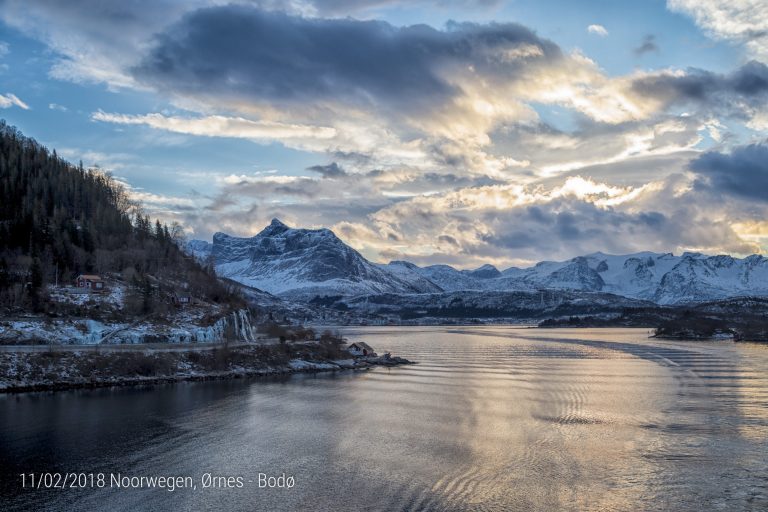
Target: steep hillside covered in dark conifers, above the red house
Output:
[{"x": 58, "y": 220}]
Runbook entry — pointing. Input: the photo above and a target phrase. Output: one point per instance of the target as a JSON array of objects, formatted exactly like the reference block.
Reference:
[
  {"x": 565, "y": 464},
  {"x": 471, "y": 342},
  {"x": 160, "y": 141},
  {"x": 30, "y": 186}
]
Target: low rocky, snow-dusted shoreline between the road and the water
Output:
[{"x": 22, "y": 372}]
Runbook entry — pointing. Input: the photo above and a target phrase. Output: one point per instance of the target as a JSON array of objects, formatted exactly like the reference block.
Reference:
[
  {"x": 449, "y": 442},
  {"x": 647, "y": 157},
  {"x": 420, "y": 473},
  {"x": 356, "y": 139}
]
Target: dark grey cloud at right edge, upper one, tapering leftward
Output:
[{"x": 745, "y": 88}]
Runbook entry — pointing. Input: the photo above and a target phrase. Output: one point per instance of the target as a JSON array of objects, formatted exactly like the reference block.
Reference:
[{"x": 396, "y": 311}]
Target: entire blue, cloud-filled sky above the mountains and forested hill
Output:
[{"x": 460, "y": 132}]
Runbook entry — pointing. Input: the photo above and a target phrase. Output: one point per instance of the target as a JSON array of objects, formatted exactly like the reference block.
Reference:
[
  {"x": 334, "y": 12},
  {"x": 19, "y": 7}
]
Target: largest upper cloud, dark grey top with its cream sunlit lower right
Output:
[{"x": 410, "y": 95}]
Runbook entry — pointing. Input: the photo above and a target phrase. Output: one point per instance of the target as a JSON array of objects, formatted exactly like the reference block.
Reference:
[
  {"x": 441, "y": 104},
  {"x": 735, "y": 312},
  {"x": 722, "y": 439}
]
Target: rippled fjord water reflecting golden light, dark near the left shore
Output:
[{"x": 492, "y": 418}]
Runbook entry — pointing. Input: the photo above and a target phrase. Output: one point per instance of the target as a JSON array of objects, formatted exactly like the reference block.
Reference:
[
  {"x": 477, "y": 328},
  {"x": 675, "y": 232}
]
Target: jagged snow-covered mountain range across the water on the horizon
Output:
[{"x": 303, "y": 264}]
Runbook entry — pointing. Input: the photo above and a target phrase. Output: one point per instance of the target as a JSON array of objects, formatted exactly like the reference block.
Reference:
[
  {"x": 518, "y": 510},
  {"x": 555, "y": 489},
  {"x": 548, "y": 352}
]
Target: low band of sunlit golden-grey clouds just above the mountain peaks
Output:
[{"x": 470, "y": 223}]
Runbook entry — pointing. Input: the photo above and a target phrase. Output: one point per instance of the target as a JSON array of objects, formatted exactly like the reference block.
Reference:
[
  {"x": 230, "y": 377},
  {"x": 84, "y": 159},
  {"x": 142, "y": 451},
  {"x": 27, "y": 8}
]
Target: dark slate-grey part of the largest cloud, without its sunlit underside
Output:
[{"x": 244, "y": 53}]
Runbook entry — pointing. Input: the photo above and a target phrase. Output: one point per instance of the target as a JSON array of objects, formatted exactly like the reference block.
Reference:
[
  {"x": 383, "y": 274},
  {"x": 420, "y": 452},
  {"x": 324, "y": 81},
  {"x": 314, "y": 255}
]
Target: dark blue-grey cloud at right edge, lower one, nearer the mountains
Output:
[{"x": 743, "y": 172}]
